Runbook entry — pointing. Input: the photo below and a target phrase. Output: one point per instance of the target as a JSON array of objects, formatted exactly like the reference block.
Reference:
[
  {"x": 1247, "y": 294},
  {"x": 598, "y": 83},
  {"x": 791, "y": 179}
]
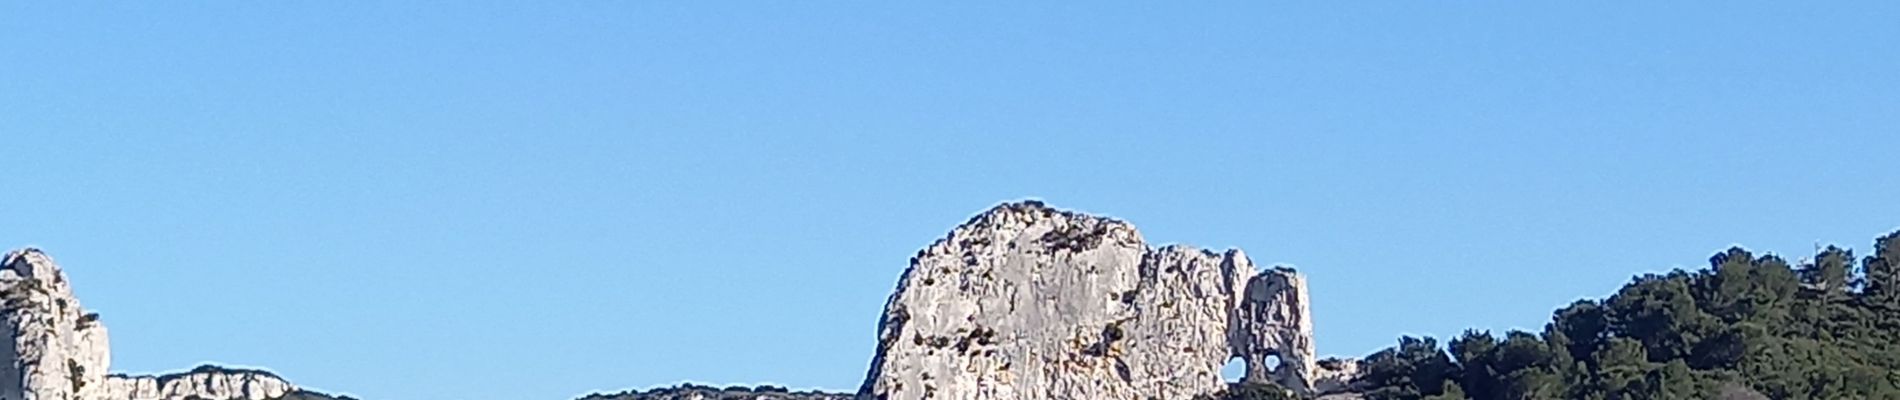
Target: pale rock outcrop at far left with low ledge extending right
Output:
[{"x": 60, "y": 352}]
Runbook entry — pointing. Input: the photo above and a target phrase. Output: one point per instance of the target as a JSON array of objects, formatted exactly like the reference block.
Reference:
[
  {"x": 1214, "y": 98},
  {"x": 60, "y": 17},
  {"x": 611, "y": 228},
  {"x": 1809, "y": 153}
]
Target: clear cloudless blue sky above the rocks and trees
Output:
[{"x": 539, "y": 202}]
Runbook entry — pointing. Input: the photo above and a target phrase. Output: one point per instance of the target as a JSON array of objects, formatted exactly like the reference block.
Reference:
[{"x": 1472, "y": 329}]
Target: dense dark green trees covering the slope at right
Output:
[{"x": 1747, "y": 327}]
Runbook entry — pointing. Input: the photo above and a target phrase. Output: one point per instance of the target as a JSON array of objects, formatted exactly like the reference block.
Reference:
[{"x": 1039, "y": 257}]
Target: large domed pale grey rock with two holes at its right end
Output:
[{"x": 1033, "y": 302}]
